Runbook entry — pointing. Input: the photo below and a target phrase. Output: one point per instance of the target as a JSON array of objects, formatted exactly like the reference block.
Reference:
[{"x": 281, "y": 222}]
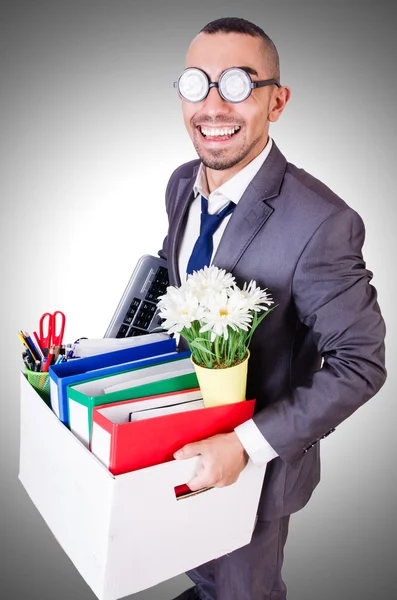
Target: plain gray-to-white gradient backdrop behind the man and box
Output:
[{"x": 88, "y": 114}]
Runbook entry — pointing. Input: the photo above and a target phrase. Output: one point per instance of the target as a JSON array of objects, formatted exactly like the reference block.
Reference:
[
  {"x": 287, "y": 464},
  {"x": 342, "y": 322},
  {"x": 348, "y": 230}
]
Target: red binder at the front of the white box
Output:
[{"x": 129, "y": 446}]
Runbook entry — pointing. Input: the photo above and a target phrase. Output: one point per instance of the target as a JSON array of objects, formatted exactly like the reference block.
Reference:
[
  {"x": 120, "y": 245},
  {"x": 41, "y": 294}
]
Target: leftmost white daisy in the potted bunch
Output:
[{"x": 179, "y": 307}]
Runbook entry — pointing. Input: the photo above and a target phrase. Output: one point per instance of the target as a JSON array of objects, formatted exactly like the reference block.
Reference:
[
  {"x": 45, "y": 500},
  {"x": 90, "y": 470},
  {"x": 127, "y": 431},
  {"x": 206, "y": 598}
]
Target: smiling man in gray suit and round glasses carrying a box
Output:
[{"x": 320, "y": 354}]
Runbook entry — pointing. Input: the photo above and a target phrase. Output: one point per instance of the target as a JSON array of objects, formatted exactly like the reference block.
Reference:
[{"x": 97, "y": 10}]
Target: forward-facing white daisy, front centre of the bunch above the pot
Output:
[{"x": 225, "y": 311}]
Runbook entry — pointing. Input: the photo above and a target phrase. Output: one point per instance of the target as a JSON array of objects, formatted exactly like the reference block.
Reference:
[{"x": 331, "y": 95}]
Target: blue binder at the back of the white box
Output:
[{"x": 91, "y": 367}]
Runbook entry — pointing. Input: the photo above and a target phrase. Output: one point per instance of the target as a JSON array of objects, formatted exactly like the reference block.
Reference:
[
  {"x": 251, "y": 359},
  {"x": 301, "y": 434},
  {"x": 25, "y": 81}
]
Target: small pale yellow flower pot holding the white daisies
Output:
[{"x": 223, "y": 386}]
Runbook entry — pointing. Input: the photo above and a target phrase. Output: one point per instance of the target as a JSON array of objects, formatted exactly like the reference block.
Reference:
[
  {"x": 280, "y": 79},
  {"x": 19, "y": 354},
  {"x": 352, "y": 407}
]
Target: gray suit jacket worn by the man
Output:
[{"x": 297, "y": 238}]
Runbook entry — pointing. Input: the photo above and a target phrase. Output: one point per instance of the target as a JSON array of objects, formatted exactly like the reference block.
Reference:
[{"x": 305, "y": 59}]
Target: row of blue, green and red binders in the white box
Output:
[{"x": 133, "y": 408}]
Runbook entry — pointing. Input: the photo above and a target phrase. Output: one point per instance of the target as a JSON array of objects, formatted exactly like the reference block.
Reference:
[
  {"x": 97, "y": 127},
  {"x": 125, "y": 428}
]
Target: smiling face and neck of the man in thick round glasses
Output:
[{"x": 227, "y": 136}]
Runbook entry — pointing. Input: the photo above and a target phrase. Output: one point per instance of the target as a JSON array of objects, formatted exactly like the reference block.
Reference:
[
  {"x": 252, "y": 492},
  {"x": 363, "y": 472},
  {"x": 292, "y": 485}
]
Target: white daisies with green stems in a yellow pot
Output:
[{"x": 218, "y": 320}]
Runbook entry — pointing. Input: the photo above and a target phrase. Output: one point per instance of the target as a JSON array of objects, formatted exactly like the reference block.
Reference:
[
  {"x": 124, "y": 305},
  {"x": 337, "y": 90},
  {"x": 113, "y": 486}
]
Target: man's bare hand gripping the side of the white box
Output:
[{"x": 222, "y": 456}]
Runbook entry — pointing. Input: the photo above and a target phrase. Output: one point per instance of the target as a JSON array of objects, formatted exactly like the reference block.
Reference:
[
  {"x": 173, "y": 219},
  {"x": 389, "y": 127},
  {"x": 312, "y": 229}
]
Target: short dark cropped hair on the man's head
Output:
[{"x": 237, "y": 25}]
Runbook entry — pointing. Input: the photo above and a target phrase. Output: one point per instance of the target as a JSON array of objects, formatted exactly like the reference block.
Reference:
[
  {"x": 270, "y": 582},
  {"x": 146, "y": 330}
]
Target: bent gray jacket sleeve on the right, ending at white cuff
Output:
[{"x": 334, "y": 298}]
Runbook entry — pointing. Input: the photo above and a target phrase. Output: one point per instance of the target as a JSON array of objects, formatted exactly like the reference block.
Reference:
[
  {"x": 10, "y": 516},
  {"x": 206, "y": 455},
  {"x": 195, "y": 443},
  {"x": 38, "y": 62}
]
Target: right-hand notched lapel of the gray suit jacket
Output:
[{"x": 252, "y": 211}]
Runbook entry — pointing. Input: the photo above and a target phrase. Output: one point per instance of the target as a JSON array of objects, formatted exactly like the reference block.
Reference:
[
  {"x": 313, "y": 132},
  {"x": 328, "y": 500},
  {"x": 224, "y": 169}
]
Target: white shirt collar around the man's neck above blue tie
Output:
[{"x": 234, "y": 188}]
